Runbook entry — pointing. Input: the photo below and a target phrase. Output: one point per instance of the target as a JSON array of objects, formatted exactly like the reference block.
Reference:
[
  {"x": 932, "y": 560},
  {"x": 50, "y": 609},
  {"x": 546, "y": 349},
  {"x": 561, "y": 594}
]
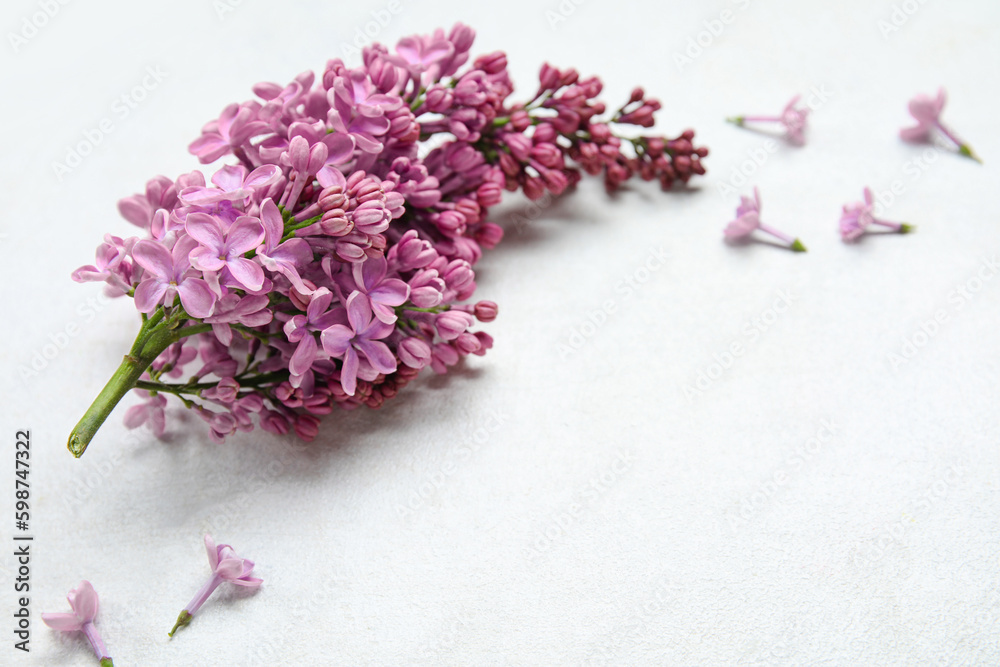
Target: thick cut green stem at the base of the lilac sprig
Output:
[{"x": 155, "y": 336}]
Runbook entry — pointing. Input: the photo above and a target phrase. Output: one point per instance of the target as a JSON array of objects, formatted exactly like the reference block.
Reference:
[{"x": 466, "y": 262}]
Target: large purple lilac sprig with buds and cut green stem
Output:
[{"x": 333, "y": 260}]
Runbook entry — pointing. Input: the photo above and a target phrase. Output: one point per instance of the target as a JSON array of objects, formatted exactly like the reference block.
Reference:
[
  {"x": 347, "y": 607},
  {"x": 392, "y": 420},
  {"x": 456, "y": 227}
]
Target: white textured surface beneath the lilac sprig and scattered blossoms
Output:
[{"x": 815, "y": 504}]
